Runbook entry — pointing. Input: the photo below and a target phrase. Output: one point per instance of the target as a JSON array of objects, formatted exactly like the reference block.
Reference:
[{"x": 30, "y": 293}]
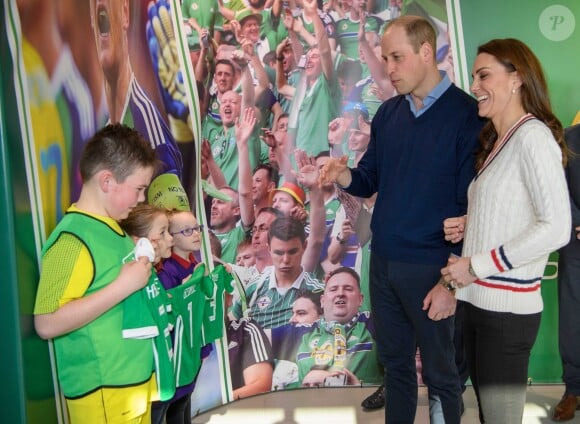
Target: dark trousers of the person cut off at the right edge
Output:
[{"x": 569, "y": 314}]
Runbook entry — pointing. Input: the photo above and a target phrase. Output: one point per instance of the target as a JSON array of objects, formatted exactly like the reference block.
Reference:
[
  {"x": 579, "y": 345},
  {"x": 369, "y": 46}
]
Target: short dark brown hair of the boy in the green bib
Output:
[{"x": 119, "y": 149}]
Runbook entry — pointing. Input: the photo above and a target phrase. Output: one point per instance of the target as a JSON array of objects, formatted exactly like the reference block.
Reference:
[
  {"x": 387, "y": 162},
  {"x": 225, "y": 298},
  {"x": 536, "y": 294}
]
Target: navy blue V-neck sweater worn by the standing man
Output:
[{"x": 421, "y": 168}]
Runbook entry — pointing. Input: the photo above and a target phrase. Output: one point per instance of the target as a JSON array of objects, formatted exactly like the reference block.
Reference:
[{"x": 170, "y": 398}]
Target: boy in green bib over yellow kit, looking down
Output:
[{"x": 85, "y": 281}]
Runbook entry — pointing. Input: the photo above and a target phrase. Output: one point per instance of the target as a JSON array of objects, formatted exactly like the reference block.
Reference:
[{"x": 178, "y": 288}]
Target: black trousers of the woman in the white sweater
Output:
[{"x": 498, "y": 346}]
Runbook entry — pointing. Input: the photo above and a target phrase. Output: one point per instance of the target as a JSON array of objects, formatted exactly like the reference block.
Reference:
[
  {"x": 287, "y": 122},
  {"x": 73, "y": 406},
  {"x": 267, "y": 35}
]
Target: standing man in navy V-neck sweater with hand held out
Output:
[{"x": 420, "y": 160}]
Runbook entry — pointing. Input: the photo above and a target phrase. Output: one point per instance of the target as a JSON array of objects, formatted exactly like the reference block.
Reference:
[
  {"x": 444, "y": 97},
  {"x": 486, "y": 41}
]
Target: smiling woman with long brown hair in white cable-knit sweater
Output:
[{"x": 518, "y": 212}]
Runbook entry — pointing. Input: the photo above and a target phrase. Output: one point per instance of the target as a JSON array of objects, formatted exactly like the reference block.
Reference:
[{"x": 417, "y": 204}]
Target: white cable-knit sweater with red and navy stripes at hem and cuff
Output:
[{"x": 518, "y": 212}]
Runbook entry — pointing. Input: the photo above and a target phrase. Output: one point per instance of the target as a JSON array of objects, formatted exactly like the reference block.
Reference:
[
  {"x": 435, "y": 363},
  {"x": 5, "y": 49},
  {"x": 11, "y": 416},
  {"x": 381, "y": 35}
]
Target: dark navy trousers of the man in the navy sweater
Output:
[{"x": 397, "y": 292}]
